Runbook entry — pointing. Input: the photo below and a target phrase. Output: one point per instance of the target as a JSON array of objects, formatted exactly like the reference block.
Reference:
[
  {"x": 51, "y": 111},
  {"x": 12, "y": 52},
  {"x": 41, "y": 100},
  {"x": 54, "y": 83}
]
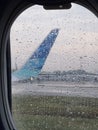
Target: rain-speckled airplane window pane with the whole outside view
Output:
[{"x": 54, "y": 57}]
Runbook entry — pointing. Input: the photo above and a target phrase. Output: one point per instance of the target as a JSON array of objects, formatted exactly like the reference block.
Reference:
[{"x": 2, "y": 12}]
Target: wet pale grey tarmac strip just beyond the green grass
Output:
[{"x": 56, "y": 89}]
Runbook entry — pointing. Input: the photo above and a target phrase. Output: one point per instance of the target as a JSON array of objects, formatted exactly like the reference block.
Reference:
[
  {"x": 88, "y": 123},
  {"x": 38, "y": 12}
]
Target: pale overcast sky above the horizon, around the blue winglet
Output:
[{"x": 76, "y": 46}]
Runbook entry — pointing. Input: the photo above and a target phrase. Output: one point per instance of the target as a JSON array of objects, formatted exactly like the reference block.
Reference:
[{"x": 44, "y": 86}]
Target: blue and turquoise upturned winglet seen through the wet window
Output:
[{"x": 35, "y": 63}]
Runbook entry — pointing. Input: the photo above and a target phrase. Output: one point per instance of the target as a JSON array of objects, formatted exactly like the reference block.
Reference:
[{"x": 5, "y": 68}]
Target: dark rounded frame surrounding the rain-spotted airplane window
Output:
[{"x": 9, "y": 10}]
